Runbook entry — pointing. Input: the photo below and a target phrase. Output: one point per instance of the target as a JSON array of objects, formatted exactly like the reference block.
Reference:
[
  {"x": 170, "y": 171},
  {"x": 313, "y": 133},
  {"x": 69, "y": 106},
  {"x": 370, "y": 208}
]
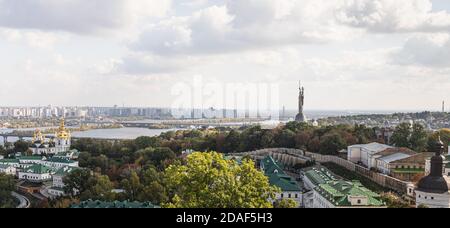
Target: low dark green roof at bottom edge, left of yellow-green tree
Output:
[{"x": 115, "y": 204}]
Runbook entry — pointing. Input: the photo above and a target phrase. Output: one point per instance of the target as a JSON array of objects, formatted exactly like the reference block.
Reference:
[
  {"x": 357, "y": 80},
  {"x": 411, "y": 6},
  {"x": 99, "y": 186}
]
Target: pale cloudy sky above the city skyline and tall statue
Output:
[{"x": 349, "y": 54}]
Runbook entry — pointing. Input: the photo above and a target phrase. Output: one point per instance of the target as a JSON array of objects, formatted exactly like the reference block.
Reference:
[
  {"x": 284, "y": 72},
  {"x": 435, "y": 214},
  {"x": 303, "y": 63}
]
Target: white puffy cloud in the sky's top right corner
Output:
[{"x": 393, "y": 15}]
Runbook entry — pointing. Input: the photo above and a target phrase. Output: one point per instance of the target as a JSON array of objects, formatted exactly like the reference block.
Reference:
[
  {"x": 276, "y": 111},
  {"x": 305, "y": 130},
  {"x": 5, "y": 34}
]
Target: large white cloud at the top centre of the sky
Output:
[{"x": 239, "y": 25}]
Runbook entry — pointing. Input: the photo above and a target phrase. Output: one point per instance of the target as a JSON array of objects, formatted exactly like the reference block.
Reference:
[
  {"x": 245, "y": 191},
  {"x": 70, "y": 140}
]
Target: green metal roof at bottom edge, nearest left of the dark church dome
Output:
[{"x": 338, "y": 193}]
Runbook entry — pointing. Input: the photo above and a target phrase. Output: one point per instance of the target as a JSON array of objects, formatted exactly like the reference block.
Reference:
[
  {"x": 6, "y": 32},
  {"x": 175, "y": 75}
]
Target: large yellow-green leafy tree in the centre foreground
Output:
[{"x": 207, "y": 180}]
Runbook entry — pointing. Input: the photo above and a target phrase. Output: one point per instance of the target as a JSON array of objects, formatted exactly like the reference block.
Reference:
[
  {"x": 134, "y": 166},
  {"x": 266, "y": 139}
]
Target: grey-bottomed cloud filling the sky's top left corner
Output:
[{"x": 78, "y": 16}]
